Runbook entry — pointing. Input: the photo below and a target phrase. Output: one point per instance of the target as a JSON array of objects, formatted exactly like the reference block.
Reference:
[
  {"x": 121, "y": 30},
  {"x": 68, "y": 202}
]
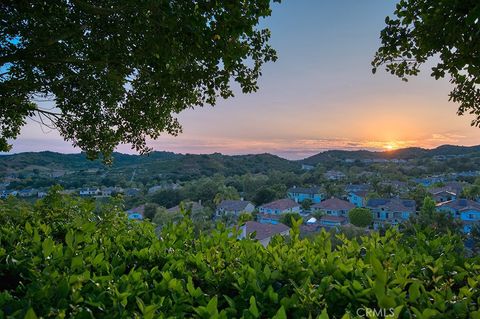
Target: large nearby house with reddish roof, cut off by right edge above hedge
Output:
[{"x": 465, "y": 210}]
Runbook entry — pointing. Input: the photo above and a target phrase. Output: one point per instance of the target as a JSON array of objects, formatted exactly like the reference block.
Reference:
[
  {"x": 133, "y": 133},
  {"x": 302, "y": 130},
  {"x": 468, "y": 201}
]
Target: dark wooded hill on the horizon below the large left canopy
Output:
[{"x": 170, "y": 165}]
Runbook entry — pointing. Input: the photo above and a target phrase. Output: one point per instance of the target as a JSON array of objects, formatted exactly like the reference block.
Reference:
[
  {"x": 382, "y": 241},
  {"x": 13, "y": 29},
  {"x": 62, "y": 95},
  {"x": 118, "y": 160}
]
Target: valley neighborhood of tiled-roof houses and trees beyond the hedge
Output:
[{"x": 322, "y": 194}]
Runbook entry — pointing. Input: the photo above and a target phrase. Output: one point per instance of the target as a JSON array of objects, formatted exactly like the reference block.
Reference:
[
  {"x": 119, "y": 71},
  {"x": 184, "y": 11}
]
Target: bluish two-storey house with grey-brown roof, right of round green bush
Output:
[{"x": 390, "y": 211}]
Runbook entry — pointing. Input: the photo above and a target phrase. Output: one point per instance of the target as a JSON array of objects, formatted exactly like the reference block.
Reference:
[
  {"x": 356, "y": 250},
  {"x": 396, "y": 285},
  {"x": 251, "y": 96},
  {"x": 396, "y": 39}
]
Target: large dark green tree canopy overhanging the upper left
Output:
[{"x": 119, "y": 71}]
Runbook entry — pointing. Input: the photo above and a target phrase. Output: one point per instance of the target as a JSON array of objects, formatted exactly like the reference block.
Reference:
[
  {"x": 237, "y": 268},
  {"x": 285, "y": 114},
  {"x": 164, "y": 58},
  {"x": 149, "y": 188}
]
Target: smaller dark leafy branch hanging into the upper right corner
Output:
[{"x": 441, "y": 30}]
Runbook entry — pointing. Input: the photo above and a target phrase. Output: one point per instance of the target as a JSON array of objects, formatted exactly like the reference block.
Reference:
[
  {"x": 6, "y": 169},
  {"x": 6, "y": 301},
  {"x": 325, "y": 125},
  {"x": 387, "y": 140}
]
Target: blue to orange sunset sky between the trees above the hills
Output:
[{"x": 320, "y": 94}]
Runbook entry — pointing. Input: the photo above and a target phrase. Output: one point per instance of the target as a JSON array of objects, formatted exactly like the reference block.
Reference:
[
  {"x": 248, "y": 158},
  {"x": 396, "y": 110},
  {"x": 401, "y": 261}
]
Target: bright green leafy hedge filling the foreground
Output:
[{"x": 65, "y": 258}]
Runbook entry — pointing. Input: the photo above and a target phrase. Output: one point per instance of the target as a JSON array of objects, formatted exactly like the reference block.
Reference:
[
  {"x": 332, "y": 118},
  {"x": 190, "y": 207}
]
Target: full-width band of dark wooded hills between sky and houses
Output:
[{"x": 41, "y": 170}]
